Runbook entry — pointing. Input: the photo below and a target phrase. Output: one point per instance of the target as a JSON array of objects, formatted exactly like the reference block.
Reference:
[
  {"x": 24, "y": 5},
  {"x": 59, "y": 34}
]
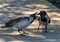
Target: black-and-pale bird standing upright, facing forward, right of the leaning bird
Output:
[{"x": 43, "y": 19}]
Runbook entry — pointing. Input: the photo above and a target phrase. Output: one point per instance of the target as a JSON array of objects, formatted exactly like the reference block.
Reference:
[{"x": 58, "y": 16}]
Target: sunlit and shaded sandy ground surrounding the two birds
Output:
[{"x": 10, "y": 9}]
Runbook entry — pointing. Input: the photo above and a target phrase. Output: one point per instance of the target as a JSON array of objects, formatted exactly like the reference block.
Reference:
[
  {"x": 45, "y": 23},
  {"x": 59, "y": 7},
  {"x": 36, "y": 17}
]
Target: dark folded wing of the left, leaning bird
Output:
[{"x": 14, "y": 21}]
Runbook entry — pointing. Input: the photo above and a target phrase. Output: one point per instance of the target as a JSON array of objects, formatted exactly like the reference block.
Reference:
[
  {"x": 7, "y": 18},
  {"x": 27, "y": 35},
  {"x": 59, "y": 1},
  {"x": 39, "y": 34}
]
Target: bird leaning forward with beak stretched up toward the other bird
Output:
[{"x": 21, "y": 22}]
